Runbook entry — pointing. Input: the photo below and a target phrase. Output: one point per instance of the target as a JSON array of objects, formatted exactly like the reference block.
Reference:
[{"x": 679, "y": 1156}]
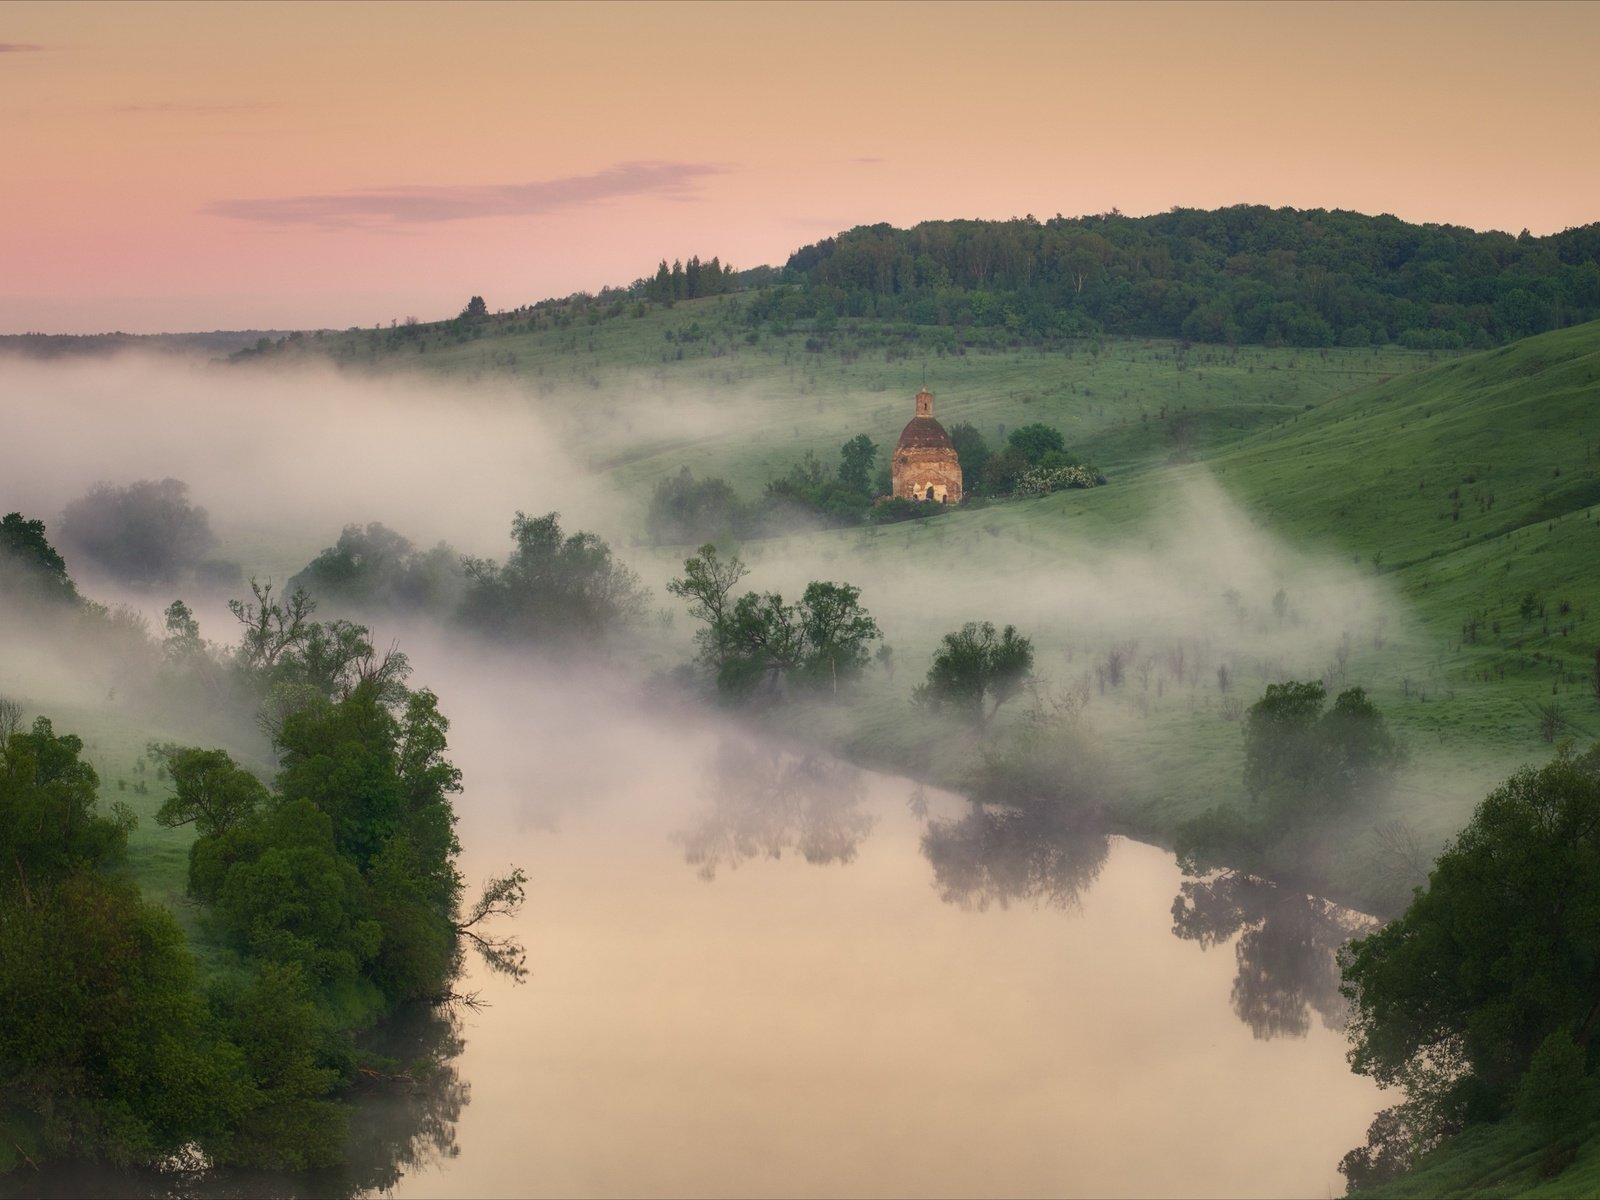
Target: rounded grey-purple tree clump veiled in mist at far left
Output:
[{"x": 143, "y": 534}]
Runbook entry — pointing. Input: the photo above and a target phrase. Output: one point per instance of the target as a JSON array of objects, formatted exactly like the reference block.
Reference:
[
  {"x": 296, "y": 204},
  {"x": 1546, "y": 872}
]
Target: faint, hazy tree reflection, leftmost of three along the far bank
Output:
[{"x": 766, "y": 801}]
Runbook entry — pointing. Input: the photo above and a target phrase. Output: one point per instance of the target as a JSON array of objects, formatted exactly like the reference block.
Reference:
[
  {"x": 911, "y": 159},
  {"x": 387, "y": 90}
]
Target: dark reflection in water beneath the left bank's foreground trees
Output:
[{"x": 402, "y": 1124}]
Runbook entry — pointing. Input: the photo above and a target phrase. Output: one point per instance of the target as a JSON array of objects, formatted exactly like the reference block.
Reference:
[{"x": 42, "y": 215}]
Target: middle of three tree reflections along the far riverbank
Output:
[{"x": 1006, "y": 855}]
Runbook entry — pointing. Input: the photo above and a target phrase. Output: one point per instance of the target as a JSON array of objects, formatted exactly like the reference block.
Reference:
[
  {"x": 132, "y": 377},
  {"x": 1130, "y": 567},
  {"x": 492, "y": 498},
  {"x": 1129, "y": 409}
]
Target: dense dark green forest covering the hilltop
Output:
[{"x": 1244, "y": 274}]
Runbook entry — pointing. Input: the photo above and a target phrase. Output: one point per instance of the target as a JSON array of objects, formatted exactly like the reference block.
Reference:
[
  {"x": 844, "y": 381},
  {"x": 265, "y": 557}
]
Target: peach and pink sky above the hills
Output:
[{"x": 170, "y": 167}]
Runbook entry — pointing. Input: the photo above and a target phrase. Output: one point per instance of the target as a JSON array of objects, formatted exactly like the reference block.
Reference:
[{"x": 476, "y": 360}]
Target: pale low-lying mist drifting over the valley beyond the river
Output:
[{"x": 1190, "y": 606}]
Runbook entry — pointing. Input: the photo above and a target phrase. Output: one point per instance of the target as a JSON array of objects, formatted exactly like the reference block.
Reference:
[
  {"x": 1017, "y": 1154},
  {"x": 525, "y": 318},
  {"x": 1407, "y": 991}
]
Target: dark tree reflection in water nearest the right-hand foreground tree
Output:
[{"x": 1287, "y": 954}]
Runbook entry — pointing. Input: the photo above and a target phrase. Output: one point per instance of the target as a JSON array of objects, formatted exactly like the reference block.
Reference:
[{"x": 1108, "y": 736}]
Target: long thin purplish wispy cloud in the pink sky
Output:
[{"x": 418, "y": 206}]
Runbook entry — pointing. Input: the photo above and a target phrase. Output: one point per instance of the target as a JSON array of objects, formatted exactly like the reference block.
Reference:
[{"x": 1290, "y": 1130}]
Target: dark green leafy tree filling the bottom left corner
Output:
[{"x": 103, "y": 1034}]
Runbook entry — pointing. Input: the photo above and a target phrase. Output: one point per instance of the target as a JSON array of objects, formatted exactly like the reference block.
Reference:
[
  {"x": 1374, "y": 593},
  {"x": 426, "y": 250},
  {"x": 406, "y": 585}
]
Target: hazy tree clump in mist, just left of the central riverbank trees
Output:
[{"x": 553, "y": 588}]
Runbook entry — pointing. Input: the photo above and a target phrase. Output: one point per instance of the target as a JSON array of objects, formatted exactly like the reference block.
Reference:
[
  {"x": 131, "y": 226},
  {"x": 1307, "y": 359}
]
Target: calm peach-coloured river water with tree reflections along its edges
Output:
[{"x": 756, "y": 972}]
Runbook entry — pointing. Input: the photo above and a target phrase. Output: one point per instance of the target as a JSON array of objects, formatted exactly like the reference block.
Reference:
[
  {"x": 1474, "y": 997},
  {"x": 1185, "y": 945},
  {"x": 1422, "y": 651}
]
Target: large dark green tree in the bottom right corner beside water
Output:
[{"x": 1455, "y": 999}]
